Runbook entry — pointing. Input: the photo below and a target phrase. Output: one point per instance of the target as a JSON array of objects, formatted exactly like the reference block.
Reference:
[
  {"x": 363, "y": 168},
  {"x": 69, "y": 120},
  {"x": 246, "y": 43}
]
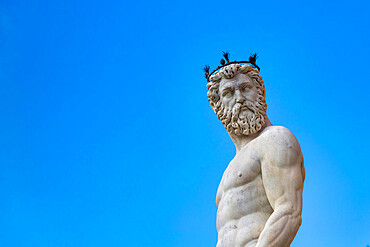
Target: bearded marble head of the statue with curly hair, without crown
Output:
[{"x": 237, "y": 96}]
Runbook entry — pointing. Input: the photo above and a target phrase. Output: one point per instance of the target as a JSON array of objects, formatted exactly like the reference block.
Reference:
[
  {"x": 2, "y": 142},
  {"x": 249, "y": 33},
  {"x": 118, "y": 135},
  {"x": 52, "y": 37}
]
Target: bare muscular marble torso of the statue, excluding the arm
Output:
[{"x": 243, "y": 207}]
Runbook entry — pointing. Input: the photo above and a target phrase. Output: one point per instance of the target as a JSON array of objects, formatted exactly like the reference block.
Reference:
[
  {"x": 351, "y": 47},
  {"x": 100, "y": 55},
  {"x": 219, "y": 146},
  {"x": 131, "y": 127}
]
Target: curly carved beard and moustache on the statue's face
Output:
[{"x": 243, "y": 119}]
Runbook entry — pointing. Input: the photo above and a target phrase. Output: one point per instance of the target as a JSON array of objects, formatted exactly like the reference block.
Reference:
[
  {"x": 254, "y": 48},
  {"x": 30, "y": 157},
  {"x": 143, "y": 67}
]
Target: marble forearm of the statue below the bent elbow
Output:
[{"x": 280, "y": 228}]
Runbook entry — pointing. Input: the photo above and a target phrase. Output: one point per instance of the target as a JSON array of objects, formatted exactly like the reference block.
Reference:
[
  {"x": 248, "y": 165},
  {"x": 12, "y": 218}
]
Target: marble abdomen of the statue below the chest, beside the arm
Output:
[{"x": 242, "y": 214}]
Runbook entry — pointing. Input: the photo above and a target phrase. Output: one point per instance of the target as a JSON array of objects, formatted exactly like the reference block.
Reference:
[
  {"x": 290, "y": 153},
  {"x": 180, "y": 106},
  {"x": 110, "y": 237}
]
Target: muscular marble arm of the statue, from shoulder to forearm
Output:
[{"x": 283, "y": 176}]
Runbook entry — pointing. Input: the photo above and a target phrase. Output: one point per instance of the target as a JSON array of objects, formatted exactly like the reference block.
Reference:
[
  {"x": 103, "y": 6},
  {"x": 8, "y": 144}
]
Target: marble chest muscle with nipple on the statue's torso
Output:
[{"x": 244, "y": 168}]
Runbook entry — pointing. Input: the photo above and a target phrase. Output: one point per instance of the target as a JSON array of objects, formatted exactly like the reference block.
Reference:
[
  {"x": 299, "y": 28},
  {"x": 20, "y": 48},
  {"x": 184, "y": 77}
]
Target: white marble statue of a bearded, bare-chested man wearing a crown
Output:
[{"x": 259, "y": 198}]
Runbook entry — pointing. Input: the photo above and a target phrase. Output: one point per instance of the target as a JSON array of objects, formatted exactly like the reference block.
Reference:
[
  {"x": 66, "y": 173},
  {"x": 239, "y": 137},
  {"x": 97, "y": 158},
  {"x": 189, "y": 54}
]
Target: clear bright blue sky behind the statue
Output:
[{"x": 107, "y": 137}]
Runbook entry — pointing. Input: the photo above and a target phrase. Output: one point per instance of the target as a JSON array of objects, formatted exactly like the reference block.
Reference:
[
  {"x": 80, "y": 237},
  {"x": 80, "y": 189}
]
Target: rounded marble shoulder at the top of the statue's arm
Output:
[{"x": 278, "y": 140}]
